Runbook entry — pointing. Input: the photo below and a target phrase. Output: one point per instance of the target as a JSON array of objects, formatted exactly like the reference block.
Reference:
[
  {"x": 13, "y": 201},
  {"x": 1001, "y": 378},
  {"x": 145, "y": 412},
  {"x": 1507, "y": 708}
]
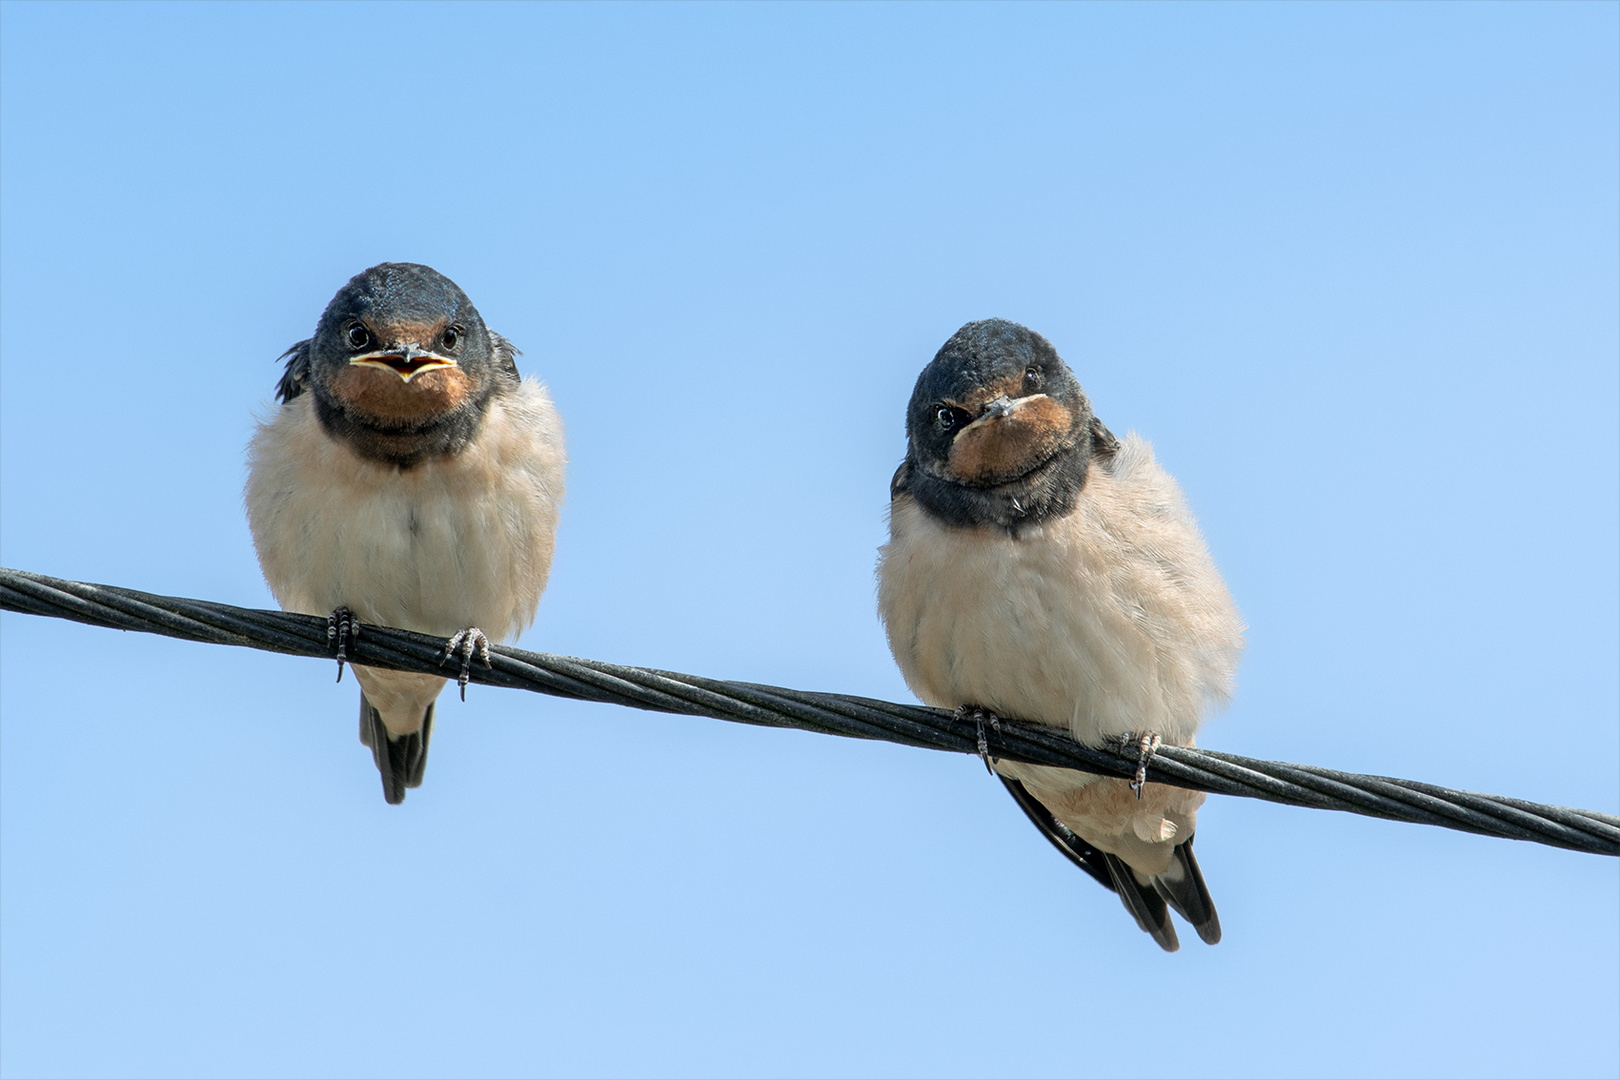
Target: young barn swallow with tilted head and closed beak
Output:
[{"x": 1044, "y": 571}]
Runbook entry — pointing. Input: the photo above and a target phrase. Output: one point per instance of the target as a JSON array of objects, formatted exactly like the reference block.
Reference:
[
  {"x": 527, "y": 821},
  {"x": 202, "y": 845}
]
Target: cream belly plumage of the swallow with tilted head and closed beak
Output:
[{"x": 1112, "y": 619}]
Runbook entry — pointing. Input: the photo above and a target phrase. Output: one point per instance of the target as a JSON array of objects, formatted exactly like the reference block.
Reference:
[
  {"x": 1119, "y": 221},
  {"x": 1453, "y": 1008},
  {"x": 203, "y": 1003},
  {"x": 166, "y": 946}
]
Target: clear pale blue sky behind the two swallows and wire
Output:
[{"x": 1354, "y": 270}]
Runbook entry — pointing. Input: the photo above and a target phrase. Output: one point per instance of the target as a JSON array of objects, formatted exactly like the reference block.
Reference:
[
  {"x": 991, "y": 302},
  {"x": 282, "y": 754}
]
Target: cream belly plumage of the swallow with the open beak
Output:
[{"x": 451, "y": 543}]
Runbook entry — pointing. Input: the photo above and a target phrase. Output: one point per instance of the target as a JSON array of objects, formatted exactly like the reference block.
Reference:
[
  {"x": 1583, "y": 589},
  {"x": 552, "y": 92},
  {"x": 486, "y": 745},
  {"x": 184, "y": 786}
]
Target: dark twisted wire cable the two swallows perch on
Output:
[{"x": 825, "y": 713}]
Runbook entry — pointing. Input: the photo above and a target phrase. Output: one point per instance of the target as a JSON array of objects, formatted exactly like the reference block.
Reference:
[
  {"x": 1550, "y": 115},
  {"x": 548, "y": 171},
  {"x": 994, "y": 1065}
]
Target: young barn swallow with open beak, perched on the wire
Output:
[{"x": 411, "y": 478}]
